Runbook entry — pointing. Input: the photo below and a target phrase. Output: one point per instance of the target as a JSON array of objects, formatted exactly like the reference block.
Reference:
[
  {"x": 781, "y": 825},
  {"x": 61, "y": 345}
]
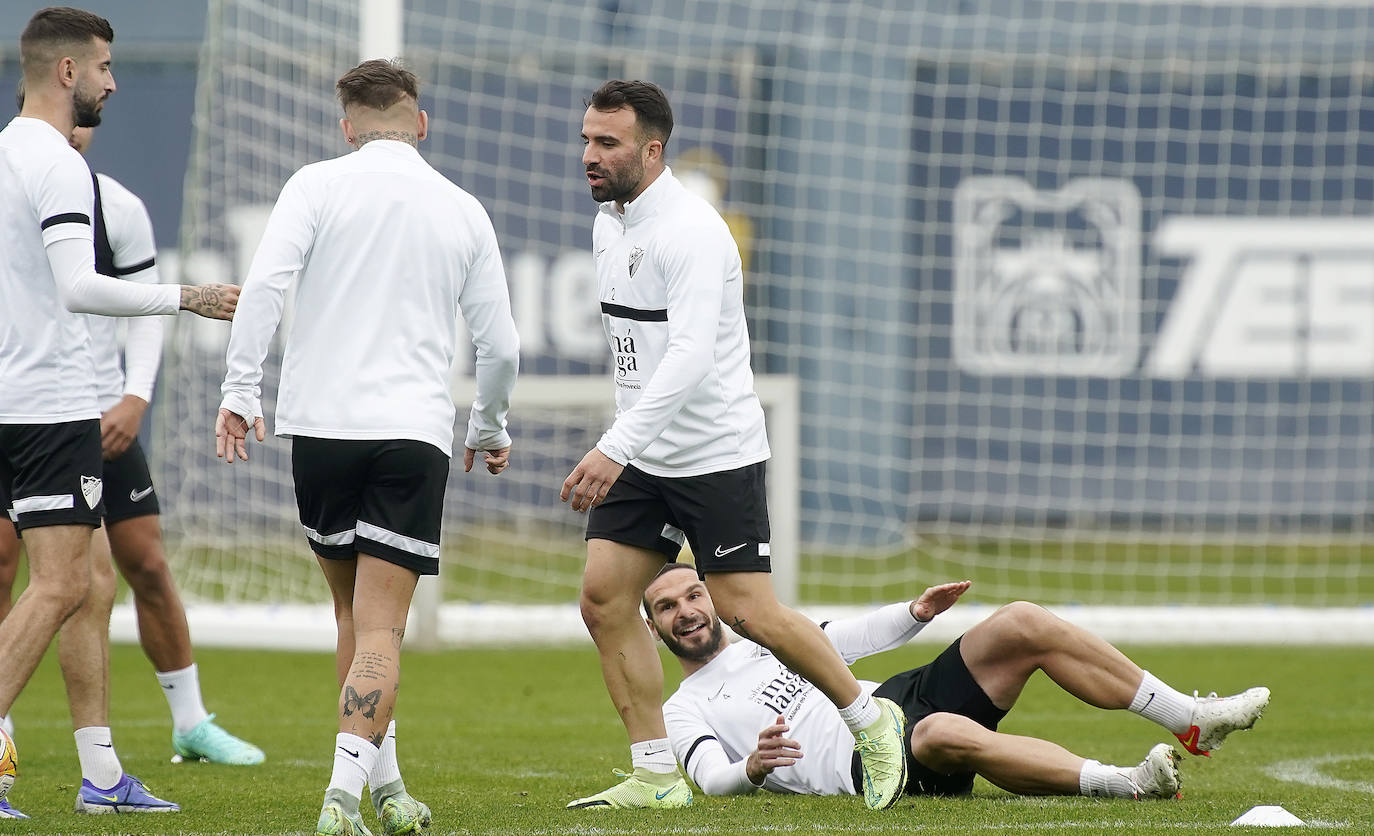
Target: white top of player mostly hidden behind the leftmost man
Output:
[{"x": 133, "y": 255}]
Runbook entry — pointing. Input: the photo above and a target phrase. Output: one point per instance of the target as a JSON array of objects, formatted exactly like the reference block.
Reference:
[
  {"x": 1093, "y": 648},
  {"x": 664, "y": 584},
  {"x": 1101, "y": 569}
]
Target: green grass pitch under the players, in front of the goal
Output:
[{"x": 497, "y": 742}]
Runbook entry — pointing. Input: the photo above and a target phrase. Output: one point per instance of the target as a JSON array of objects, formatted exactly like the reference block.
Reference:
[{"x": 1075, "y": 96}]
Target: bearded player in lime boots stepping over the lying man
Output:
[{"x": 685, "y": 457}]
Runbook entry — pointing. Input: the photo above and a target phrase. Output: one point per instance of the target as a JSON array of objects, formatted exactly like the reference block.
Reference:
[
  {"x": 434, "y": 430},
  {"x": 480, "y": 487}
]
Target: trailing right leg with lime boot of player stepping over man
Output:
[{"x": 745, "y": 602}]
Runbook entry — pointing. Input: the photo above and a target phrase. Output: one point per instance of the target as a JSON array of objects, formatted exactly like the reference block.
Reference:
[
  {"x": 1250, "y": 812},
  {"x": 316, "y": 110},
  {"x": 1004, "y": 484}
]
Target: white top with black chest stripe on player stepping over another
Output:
[{"x": 674, "y": 310}]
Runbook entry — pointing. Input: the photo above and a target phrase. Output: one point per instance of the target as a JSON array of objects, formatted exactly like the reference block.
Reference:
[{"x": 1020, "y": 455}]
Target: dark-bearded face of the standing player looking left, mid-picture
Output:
[{"x": 616, "y": 155}]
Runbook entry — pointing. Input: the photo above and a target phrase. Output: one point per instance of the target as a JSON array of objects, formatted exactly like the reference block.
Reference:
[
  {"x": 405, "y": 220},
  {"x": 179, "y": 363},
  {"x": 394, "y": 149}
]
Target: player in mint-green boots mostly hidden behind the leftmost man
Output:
[{"x": 124, "y": 248}]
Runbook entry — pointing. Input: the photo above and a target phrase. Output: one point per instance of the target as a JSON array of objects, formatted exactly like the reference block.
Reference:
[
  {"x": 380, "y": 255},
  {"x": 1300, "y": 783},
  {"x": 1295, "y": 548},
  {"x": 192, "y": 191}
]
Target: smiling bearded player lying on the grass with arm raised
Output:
[{"x": 953, "y": 705}]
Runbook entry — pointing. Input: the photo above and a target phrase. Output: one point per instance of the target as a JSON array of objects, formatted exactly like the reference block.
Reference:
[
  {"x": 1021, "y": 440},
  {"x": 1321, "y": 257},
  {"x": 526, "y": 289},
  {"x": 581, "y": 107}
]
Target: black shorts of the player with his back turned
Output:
[{"x": 380, "y": 498}]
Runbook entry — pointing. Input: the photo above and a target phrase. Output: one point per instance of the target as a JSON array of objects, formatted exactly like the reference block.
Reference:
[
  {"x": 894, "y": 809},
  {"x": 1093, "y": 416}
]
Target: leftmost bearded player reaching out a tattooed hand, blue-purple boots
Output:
[{"x": 50, "y": 419}]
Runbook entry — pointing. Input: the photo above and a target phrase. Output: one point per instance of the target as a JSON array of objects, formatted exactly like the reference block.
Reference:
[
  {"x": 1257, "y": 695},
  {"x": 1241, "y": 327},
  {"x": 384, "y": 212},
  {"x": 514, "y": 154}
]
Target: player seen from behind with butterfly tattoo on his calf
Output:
[{"x": 387, "y": 255}]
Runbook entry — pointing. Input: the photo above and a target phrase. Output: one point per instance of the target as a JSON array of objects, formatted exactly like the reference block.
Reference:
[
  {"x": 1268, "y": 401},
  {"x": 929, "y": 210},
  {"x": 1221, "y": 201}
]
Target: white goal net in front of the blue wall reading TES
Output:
[{"x": 1078, "y": 295}]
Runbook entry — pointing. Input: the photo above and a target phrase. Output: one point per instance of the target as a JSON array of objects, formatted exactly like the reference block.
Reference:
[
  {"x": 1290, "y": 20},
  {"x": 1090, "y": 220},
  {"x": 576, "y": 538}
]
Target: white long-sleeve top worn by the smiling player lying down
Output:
[{"x": 717, "y": 714}]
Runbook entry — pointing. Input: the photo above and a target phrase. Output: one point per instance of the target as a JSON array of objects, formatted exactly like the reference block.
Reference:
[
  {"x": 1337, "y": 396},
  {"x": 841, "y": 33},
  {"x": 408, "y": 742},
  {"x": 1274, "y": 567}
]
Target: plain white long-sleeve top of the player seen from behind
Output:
[{"x": 390, "y": 254}]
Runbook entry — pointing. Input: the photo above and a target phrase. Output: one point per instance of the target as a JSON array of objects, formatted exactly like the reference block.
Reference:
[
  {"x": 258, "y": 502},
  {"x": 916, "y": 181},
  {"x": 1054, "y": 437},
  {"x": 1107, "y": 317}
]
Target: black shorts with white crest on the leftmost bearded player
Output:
[{"x": 52, "y": 474}]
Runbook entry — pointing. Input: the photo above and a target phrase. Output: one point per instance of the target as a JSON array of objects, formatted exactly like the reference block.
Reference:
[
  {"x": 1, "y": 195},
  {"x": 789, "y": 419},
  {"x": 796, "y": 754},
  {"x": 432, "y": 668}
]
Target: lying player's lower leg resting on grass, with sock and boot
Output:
[{"x": 950, "y": 743}]
